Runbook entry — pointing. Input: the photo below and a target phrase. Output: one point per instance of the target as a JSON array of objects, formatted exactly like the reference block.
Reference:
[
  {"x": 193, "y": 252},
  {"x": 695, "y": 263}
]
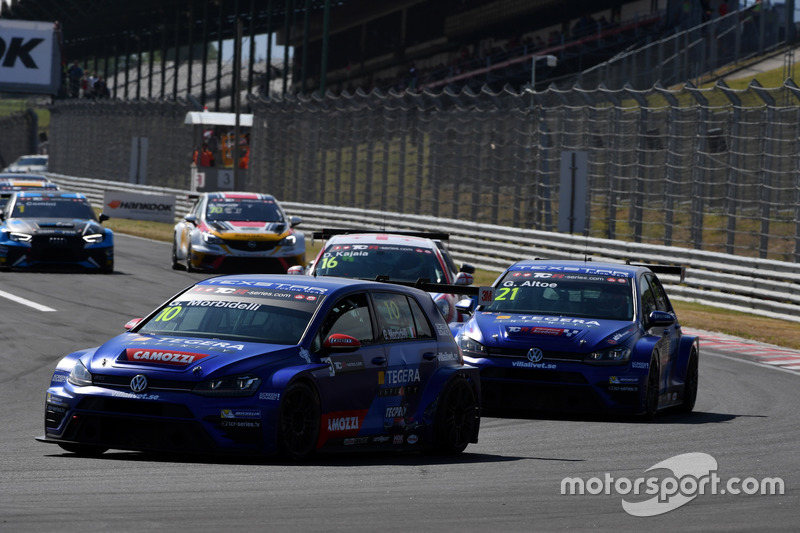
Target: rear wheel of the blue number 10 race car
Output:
[{"x": 456, "y": 417}]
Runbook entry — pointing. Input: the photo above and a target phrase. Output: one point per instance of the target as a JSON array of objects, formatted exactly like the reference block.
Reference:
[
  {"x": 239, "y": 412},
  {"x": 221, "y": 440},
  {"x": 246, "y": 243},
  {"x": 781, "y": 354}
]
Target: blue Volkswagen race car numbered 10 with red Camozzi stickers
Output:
[{"x": 262, "y": 364}]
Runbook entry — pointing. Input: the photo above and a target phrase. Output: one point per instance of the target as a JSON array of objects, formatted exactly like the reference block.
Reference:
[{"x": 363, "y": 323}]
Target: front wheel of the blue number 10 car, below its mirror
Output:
[{"x": 298, "y": 422}]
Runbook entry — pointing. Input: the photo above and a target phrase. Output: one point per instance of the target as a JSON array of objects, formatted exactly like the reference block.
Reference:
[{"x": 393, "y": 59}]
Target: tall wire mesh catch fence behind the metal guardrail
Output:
[{"x": 709, "y": 169}]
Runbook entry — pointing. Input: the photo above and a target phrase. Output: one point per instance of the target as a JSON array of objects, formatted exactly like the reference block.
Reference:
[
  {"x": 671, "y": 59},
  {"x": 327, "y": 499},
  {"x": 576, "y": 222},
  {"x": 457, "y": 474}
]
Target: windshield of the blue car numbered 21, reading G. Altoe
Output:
[{"x": 561, "y": 294}]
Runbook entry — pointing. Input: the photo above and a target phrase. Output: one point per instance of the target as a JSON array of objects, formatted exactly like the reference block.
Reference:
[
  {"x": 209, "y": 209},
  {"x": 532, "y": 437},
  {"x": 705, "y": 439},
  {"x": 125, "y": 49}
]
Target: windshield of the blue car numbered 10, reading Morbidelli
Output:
[{"x": 243, "y": 314}]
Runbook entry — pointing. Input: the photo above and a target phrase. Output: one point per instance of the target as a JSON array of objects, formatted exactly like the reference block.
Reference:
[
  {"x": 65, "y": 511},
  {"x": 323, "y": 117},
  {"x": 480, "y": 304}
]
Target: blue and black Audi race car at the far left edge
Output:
[{"x": 45, "y": 228}]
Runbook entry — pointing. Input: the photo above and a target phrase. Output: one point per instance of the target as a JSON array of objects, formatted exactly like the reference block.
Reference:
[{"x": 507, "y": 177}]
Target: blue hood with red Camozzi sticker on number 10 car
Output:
[{"x": 131, "y": 353}]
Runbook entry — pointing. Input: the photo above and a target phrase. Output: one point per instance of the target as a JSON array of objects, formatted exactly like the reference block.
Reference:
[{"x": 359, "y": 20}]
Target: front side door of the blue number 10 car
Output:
[{"x": 350, "y": 386}]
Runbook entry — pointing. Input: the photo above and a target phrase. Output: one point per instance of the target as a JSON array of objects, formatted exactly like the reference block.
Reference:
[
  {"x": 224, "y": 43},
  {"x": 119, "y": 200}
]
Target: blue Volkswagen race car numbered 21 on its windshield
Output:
[{"x": 581, "y": 337}]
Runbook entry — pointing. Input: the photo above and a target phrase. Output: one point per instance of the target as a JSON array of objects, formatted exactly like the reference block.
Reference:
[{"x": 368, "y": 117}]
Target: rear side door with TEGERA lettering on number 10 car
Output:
[{"x": 411, "y": 349}]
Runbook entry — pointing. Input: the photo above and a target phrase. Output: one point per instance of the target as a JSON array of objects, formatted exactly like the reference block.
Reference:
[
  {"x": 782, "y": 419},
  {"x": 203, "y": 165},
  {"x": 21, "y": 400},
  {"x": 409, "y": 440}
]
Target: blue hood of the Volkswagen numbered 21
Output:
[{"x": 547, "y": 332}]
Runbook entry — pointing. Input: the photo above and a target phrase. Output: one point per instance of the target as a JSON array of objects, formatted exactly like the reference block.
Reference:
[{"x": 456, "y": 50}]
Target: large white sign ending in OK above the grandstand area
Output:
[{"x": 30, "y": 60}]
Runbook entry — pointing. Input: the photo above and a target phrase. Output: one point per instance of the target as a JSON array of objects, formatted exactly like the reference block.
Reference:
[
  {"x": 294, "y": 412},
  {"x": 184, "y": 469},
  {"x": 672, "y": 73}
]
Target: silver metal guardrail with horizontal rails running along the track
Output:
[{"x": 759, "y": 286}]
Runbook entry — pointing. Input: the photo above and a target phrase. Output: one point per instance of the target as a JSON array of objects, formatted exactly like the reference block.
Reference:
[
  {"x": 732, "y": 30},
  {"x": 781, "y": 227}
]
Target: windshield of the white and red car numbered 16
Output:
[{"x": 400, "y": 263}]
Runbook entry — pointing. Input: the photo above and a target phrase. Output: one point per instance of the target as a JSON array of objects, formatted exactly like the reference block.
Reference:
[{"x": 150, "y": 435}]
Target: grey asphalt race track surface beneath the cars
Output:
[{"x": 746, "y": 419}]
